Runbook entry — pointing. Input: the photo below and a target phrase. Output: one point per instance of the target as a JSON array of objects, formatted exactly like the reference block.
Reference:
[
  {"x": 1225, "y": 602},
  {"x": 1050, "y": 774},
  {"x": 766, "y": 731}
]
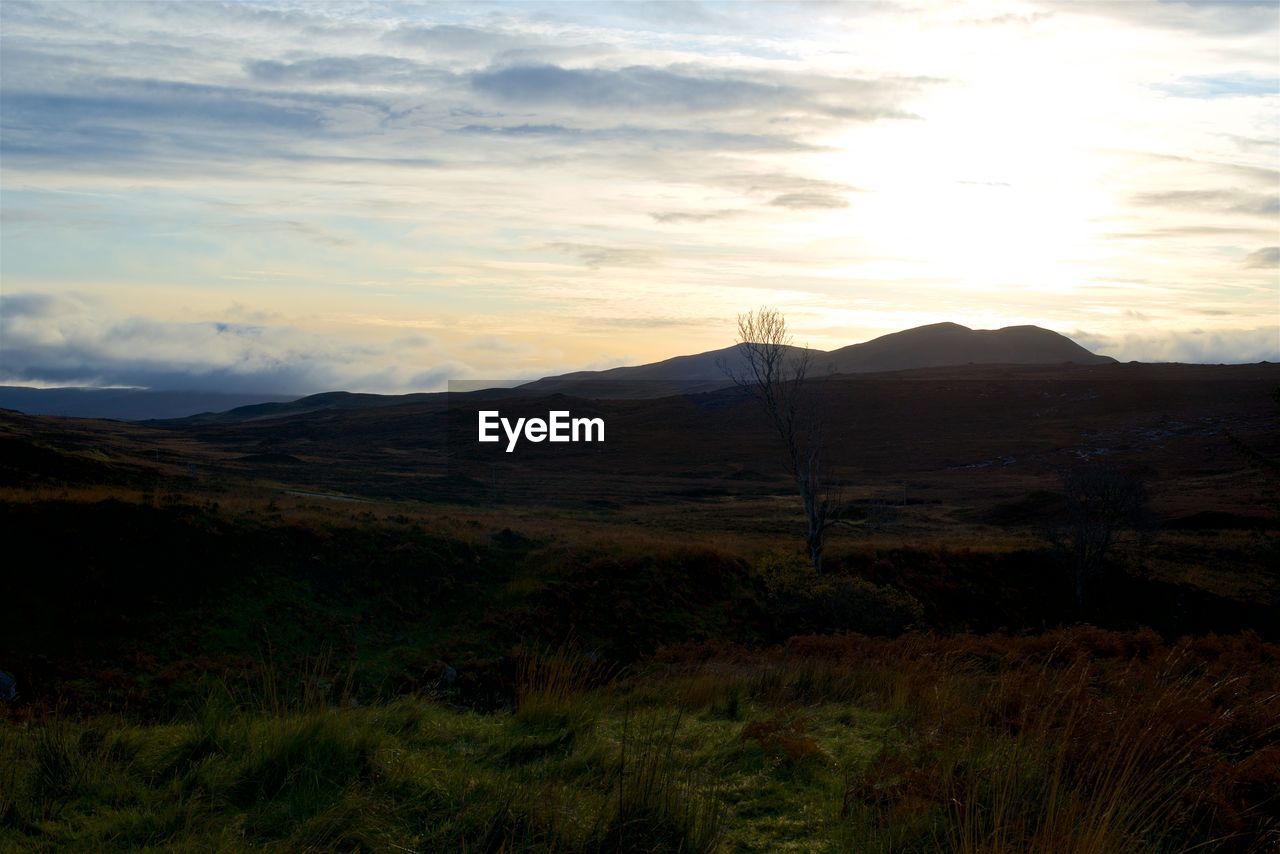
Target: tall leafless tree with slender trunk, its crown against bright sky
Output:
[{"x": 778, "y": 375}]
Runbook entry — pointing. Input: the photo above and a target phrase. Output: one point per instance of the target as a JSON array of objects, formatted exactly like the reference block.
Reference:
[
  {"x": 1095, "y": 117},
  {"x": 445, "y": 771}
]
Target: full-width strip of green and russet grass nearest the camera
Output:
[{"x": 1075, "y": 742}]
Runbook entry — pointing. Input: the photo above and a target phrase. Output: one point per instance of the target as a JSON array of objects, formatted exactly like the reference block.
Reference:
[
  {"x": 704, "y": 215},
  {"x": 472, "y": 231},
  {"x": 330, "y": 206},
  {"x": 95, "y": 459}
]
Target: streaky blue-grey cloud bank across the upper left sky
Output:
[{"x": 220, "y": 90}]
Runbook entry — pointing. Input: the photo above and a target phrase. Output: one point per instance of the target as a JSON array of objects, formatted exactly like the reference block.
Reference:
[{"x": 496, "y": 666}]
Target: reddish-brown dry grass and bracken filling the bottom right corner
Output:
[{"x": 1078, "y": 741}]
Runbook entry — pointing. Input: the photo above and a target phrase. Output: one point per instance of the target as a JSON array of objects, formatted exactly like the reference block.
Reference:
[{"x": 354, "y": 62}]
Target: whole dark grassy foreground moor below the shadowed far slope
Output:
[{"x": 235, "y": 661}]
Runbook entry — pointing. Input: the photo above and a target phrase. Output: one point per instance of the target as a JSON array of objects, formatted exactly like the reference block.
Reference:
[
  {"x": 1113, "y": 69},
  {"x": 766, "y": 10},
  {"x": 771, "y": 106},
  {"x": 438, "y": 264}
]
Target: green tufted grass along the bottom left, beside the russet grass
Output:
[{"x": 409, "y": 775}]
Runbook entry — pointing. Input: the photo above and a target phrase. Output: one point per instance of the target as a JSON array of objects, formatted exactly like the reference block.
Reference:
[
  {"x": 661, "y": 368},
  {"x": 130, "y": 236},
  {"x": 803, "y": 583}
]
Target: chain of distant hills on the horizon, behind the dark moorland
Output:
[{"x": 934, "y": 346}]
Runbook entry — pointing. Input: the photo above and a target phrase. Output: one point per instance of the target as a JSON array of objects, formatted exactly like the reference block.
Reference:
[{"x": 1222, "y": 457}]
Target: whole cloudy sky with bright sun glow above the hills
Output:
[{"x": 385, "y": 197}]
